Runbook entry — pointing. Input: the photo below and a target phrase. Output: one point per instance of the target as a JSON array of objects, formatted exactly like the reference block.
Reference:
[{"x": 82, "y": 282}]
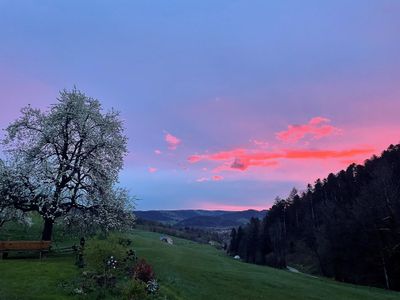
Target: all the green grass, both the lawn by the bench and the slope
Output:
[{"x": 185, "y": 270}]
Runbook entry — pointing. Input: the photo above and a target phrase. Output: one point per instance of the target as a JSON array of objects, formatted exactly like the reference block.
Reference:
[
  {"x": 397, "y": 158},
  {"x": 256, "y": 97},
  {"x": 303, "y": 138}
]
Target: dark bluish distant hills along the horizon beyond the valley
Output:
[{"x": 200, "y": 218}]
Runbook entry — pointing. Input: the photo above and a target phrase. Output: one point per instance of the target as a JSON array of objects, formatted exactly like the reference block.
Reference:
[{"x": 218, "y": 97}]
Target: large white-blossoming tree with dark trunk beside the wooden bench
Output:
[{"x": 65, "y": 160}]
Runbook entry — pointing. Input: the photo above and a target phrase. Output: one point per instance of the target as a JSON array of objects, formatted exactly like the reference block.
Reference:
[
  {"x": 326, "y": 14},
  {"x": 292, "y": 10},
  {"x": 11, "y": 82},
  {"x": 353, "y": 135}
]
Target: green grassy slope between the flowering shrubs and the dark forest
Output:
[{"x": 193, "y": 271}]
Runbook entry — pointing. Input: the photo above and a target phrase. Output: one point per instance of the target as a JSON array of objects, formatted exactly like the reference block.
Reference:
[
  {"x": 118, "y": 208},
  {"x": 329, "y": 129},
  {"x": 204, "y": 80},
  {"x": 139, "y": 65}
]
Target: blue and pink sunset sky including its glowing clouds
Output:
[{"x": 227, "y": 104}]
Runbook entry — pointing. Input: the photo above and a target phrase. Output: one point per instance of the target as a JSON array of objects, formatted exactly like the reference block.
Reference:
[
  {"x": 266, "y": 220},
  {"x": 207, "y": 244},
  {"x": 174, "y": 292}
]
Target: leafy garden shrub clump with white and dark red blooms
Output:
[{"x": 113, "y": 268}]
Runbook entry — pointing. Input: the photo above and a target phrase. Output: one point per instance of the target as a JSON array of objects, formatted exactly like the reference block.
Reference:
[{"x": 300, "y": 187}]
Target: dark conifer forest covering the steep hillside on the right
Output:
[{"x": 346, "y": 226}]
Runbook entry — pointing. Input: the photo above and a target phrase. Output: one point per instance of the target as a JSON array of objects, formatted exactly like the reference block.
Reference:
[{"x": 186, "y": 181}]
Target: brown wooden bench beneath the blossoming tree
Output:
[{"x": 24, "y": 246}]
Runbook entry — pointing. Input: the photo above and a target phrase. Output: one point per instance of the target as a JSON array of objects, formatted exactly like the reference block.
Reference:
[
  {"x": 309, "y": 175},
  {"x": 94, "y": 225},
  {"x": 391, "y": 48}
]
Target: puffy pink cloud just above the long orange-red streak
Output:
[{"x": 316, "y": 128}]
